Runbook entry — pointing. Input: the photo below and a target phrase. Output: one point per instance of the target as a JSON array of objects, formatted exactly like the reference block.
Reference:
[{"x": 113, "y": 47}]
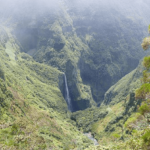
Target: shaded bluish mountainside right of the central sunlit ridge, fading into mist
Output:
[{"x": 113, "y": 31}]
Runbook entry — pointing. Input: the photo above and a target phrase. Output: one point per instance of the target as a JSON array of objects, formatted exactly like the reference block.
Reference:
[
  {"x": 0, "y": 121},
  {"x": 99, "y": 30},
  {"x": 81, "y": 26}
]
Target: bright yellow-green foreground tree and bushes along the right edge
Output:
[{"x": 139, "y": 123}]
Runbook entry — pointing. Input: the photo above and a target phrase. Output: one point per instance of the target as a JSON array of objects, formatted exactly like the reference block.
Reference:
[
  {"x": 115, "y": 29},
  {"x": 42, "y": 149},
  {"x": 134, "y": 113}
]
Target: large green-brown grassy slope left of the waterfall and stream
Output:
[{"x": 33, "y": 110}]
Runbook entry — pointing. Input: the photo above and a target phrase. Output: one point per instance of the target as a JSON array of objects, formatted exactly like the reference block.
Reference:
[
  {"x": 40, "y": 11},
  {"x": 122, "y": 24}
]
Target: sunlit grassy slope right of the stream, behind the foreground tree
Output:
[{"x": 107, "y": 122}]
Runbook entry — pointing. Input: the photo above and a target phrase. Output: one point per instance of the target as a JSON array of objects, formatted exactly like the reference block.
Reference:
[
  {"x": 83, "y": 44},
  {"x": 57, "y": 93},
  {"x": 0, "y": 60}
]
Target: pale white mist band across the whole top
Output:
[{"x": 28, "y": 7}]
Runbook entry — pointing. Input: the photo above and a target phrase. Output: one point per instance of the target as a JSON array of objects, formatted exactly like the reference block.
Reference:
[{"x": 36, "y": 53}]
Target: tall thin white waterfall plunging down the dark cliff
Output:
[{"x": 67, "y": 96}]
